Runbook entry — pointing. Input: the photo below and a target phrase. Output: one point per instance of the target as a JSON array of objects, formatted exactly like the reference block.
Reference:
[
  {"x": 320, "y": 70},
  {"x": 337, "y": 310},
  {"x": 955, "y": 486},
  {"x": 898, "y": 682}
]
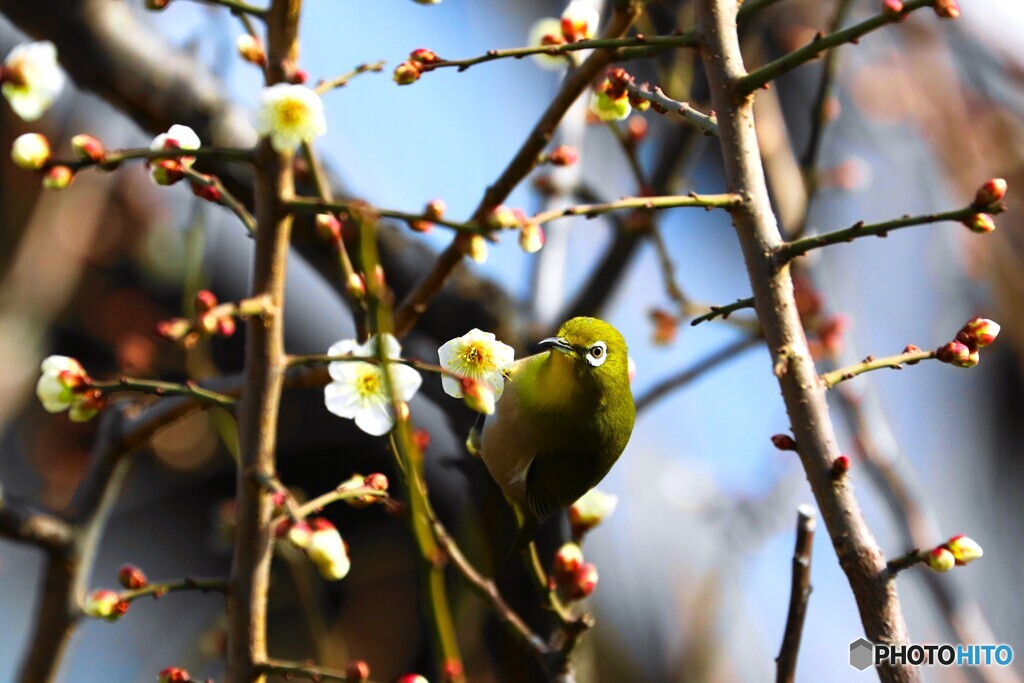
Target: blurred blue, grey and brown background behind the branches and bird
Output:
[{"x": 695, "y": 565}]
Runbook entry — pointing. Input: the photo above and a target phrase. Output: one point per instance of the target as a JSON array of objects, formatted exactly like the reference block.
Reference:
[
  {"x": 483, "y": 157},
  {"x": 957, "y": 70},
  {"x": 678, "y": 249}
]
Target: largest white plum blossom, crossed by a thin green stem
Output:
[{"x": 358, "y": 391}]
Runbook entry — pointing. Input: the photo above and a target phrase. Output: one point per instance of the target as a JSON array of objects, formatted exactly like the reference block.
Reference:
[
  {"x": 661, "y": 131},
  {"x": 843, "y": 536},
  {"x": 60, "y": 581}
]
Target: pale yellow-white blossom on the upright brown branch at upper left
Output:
[{"x": 290, "y": 115}]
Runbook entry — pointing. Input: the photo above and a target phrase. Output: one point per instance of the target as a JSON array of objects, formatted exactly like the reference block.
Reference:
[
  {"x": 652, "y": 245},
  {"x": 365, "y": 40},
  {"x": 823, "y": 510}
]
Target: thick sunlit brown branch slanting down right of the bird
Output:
[{"x": 859, "y": 552}]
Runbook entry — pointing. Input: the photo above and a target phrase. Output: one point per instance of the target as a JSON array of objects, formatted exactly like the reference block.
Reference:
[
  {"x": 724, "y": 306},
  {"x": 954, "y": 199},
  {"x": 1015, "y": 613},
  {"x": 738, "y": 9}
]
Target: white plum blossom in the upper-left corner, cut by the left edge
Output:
[{"x": 33, "y": 79}]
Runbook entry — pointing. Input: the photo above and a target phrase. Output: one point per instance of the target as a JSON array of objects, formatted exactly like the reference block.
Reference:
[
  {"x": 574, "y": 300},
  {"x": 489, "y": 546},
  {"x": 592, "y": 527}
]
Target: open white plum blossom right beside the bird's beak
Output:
[{"x": 477, "y": 356}]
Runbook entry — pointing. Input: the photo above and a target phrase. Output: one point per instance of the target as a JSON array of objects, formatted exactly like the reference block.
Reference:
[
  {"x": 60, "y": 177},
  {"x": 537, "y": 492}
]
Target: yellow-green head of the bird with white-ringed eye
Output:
[{"x": 593, "y": 349}]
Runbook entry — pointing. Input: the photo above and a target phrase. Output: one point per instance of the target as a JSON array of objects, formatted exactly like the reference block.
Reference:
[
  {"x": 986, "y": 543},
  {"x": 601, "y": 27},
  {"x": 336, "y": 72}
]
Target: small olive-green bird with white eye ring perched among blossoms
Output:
[{"x": 566, "y": 416}]
